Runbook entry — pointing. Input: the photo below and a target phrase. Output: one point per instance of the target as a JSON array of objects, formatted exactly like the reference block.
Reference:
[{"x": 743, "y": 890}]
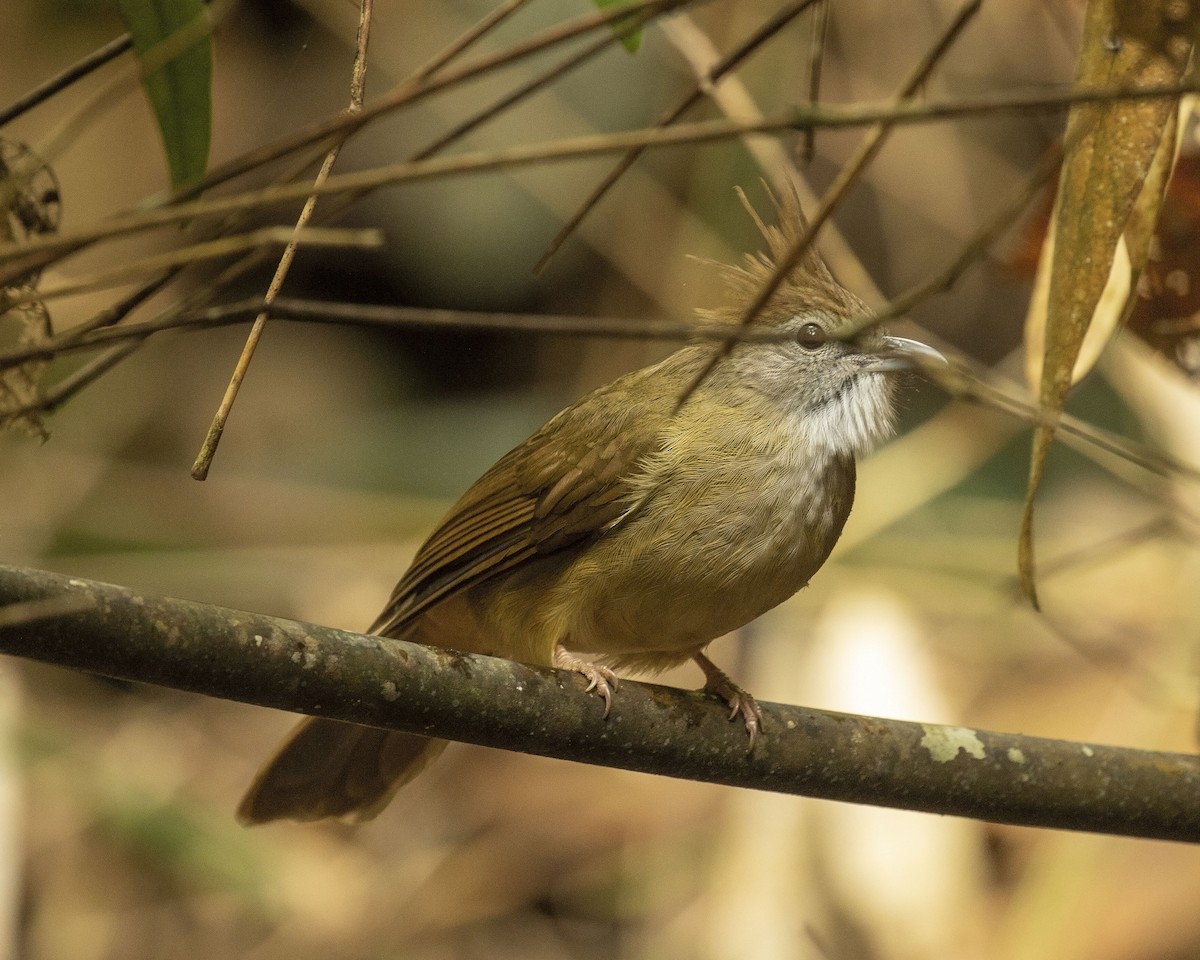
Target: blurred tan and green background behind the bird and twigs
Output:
[{"x": 117, "y": 830}]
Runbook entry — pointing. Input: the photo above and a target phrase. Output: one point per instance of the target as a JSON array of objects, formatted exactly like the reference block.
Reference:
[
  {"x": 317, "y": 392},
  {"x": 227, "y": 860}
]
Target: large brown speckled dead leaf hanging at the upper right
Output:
[{"x": 1114, "y": 148}]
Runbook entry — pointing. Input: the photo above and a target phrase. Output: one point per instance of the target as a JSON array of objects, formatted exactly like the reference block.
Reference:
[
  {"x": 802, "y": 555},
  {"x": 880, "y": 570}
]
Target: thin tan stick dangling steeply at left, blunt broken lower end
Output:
[{"x": 358, "y": 93}]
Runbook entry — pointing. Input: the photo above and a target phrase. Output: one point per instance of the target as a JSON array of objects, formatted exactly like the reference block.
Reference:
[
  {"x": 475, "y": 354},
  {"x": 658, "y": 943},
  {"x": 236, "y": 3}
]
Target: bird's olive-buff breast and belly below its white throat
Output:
[{"x": 722, "y": 530}]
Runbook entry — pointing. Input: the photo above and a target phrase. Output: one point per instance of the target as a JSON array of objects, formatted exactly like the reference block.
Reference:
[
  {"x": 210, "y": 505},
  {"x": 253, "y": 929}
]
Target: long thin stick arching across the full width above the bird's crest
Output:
[{"x": 29, "y": 255}]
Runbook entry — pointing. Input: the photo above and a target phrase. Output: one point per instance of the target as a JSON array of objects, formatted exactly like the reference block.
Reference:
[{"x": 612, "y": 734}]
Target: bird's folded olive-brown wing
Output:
[{"x": 568, "y": 483}]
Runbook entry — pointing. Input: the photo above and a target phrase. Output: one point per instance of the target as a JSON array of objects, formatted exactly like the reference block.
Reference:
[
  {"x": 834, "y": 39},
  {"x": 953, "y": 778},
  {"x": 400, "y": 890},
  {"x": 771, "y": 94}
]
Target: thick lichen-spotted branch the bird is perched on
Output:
[{"x": 316, "y": 670}]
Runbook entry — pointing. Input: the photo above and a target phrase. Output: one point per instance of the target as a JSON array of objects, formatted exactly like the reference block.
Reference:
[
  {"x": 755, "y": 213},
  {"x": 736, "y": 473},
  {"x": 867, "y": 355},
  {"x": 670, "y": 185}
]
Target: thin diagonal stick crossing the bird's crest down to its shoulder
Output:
[{"x": 847, "y": 178}]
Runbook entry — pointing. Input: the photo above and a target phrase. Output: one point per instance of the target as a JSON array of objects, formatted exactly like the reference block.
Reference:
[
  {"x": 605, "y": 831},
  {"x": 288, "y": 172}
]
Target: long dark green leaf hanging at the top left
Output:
[{"x": 173, "y": 41}]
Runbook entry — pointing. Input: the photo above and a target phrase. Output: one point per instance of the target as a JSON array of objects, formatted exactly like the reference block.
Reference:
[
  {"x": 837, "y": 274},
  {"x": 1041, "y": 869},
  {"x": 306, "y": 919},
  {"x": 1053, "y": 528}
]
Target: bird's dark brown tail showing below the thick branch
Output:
[{"x": 333, "y": 770}]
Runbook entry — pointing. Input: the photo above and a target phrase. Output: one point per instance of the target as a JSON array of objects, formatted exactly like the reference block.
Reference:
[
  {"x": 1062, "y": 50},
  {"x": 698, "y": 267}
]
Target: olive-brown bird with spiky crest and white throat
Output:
[{"x": 632, "y": 530}]
